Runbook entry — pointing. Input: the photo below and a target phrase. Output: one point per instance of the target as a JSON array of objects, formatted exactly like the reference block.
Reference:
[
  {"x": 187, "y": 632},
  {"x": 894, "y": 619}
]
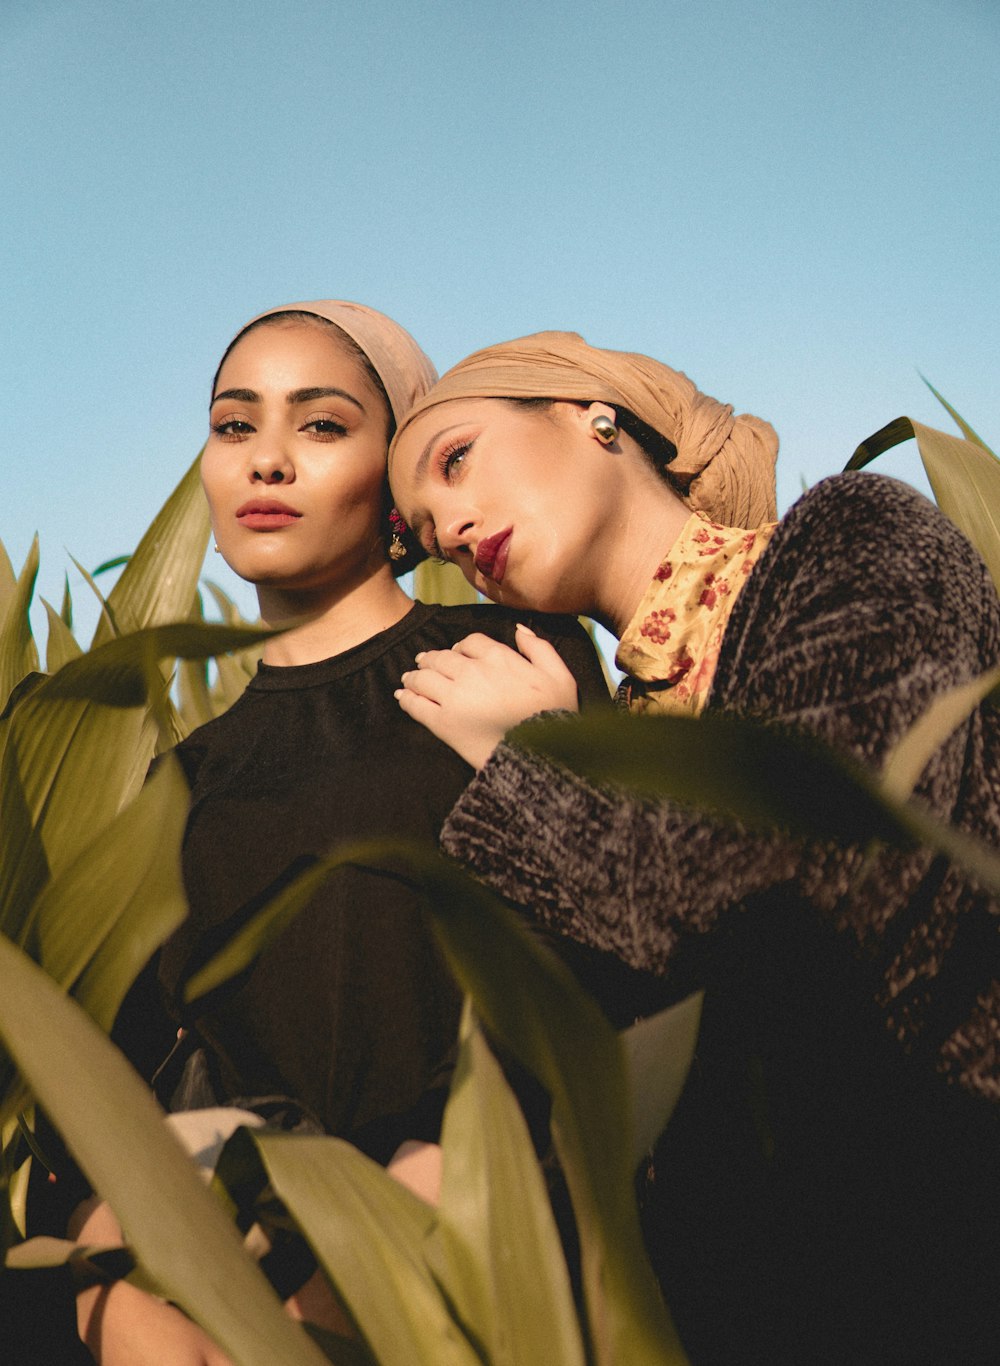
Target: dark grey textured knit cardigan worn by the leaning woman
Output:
[{"x": 865, "y": 607}]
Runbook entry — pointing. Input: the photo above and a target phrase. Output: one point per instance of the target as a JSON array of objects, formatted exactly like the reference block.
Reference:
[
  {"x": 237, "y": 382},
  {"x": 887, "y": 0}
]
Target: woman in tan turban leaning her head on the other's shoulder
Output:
[{"x": 829, "y": 1189}]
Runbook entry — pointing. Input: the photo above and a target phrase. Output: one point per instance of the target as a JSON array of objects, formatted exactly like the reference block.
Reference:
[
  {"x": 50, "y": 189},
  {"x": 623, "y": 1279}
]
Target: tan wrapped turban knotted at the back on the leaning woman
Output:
[{"x": 725, "y": 464}]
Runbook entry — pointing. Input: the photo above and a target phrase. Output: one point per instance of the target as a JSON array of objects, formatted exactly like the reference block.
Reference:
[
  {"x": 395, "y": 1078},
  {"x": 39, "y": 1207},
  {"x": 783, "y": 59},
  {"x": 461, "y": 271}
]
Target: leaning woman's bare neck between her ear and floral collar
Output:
[{"x": 648, "y": 522}]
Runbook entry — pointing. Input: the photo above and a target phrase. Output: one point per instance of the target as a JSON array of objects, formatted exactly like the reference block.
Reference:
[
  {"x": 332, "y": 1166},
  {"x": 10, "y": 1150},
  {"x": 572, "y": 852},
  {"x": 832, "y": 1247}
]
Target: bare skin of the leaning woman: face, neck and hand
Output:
[{"x": 589, "y": 525}]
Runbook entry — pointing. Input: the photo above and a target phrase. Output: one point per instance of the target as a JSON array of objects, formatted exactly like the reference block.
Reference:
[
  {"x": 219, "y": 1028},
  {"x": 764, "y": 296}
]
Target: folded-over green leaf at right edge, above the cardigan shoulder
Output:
[{"x": 964, "y": 475}]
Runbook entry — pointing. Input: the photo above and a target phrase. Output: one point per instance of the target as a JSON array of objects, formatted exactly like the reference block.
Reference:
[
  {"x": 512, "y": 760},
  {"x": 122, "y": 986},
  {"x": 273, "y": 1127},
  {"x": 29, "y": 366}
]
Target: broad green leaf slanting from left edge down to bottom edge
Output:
[{"x": 176, "y": 1227}]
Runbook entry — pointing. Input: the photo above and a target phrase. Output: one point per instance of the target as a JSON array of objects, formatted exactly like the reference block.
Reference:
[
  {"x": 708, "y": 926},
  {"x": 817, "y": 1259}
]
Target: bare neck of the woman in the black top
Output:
[{"x": 330, "y": 621}]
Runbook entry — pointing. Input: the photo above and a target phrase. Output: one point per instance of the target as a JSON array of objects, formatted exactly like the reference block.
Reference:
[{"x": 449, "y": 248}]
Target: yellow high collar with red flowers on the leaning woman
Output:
[{"x": 670, "y": 650}]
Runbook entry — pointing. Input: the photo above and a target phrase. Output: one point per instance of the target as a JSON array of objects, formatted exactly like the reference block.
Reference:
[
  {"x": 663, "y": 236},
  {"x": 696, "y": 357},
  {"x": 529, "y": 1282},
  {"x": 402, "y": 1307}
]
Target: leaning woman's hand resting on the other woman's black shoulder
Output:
[{"x": 475, "y": 693}]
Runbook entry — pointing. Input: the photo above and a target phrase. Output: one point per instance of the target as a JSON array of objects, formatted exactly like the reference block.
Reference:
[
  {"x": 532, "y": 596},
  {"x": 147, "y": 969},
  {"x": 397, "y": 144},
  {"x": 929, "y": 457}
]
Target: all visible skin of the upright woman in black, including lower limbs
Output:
[{"x": 296, "y": 426}]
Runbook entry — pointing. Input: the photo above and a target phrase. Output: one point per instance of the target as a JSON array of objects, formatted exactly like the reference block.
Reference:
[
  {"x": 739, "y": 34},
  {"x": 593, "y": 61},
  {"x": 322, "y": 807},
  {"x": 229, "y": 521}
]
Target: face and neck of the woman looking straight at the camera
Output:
[{"x": 297, "y": 423}]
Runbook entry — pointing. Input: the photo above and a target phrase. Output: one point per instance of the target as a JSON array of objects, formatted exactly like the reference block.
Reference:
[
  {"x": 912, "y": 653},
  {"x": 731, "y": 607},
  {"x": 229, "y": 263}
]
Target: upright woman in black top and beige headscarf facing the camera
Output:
[{"x": 346, "y": 1024}]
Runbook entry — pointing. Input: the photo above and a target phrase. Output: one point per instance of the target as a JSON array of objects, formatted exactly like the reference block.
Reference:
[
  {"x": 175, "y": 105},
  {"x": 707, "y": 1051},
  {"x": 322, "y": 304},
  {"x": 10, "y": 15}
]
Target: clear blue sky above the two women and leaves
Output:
[{"x": 796, "y": 203}]
